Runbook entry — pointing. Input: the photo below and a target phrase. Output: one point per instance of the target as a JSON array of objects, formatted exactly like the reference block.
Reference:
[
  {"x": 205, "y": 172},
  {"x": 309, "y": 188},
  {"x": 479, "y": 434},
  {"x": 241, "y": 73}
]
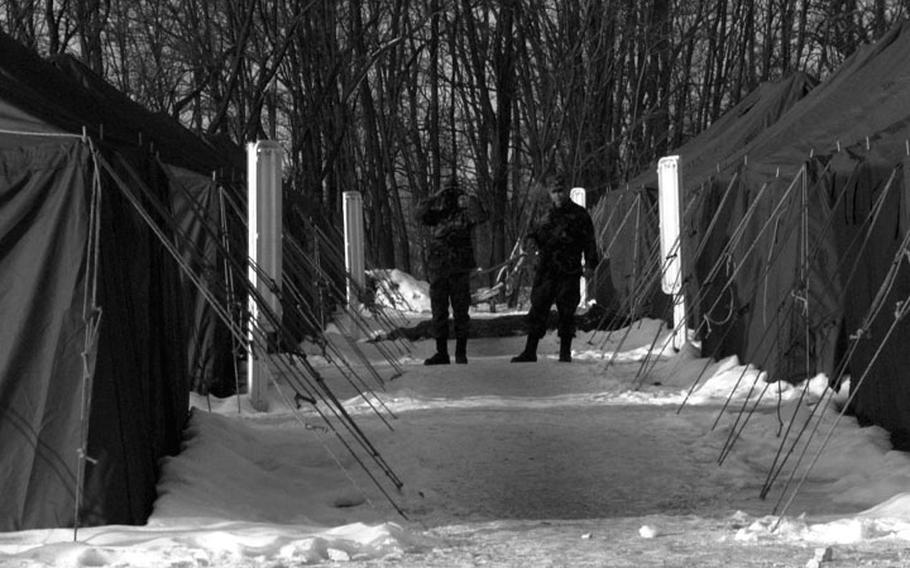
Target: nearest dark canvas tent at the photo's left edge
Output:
[{"x": 94, "y": 342}]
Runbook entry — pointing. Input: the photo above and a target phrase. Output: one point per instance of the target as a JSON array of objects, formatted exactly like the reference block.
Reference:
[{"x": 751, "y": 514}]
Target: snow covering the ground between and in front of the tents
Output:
[{"x": 596, "y": 461}]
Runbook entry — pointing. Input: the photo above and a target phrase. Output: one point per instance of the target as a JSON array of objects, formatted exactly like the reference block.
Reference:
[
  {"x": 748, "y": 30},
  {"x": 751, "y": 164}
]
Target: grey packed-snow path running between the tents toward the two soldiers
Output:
[{"x": 548, "y": 440}]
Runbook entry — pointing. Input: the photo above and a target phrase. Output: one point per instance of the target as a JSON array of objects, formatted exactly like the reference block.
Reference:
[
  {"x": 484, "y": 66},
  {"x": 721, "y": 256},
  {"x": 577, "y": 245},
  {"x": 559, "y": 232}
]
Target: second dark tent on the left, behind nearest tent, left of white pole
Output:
[{"x": 204, "y": 180}]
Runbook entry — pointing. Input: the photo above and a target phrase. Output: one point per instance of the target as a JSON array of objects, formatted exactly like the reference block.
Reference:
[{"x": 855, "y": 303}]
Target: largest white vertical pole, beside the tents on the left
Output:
[{"x": 264, "y": 160}]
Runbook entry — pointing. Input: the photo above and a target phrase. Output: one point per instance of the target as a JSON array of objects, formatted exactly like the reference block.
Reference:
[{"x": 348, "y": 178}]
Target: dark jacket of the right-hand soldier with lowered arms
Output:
[{"x": 562, "y": 237}]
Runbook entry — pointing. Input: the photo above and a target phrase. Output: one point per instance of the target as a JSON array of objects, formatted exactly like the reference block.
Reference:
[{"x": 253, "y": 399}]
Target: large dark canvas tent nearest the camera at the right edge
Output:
[{"x": 802, "y": 237}]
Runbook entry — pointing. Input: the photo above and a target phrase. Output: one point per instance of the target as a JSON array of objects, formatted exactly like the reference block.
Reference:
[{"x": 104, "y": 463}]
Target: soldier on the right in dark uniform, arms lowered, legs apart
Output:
[{"x": 565, "y": 234}]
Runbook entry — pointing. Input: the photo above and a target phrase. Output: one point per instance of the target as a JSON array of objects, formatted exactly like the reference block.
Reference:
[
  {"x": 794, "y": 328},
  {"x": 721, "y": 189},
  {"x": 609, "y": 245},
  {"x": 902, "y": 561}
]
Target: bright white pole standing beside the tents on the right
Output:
[{"x": 669, "y": 176}]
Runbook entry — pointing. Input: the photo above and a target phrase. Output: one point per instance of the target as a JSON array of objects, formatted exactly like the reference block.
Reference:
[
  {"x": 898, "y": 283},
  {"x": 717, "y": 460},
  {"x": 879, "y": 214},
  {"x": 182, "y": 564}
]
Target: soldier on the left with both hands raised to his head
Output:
[{"x": 451, "y": 214}]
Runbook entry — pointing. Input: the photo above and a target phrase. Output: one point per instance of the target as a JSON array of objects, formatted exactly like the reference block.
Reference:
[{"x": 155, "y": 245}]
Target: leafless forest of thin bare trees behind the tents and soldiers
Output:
[{"x": 386, "y": 96}]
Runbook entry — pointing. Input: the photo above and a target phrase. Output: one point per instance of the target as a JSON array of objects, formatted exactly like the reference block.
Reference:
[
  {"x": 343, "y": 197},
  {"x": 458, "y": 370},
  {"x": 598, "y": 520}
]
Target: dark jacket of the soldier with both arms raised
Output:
[{"x": 450, "y": 249}]
